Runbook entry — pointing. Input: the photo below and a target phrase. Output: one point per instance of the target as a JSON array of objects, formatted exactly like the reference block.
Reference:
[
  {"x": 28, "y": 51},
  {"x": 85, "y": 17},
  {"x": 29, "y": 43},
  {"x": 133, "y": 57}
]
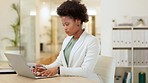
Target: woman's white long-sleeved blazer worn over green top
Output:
[{"x": 82, "y": 59}]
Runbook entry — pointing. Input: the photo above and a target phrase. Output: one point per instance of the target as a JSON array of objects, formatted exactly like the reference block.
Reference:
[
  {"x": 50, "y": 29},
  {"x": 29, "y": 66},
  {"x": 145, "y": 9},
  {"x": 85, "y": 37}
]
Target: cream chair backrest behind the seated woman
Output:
[{"x": 105, "y": 68}]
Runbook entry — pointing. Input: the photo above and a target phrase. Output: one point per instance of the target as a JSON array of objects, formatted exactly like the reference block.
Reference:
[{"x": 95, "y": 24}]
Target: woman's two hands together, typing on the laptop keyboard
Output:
[{"x": 40, "y": 70}]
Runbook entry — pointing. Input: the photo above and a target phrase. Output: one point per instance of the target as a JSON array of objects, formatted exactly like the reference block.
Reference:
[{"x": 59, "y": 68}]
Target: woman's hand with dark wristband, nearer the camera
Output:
[{"x": 50, "y": 72}]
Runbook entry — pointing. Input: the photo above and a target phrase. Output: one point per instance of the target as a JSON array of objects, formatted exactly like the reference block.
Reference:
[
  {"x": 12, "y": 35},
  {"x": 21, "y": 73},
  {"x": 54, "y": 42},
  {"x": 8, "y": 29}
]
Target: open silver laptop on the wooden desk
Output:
[{"x": 20, "y": 66}]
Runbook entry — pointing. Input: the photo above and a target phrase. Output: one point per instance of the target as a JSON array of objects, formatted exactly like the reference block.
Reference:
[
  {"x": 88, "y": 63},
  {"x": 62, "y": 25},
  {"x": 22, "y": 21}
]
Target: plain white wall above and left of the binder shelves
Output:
[{"x": 118, "y": 9}]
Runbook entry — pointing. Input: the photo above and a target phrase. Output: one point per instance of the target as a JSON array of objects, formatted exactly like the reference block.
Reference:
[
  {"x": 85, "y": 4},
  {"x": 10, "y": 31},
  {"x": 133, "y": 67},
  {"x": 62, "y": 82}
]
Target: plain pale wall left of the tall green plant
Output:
[{"x": 7, "y": 17}]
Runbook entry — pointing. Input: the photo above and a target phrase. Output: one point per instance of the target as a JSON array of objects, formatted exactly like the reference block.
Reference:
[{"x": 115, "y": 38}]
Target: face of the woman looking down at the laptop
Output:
[{"x": 70, "y": 25}]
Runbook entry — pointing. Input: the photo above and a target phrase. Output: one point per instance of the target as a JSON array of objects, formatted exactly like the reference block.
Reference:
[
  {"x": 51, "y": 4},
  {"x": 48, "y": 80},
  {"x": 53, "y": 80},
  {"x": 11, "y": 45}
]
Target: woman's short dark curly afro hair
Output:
[{"x": 73, "y": 9}]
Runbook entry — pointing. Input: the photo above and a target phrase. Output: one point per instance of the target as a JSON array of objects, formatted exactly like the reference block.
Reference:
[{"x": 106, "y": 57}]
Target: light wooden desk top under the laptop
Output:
[{"x": 14, "y": 78}]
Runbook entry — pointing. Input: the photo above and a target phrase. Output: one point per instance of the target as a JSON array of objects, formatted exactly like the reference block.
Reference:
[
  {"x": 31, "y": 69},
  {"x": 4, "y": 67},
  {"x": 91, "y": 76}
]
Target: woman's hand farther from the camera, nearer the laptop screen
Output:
[{"x": 38, "y": 69}]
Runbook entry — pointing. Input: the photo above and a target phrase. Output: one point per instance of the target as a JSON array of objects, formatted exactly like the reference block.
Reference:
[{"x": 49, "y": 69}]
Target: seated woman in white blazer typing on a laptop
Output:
[{"x": 79, "y": 52}]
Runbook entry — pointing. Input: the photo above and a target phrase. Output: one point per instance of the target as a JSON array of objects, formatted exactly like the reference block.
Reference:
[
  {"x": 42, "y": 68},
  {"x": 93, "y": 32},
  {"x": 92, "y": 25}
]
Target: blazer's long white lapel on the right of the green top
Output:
[{"x": 76, "y": 46}]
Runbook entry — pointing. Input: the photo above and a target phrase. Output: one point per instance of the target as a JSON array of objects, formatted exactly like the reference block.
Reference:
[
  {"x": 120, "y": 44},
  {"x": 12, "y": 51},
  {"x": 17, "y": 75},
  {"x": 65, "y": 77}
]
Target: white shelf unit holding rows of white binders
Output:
[{"x": 130, "y": 50}]
